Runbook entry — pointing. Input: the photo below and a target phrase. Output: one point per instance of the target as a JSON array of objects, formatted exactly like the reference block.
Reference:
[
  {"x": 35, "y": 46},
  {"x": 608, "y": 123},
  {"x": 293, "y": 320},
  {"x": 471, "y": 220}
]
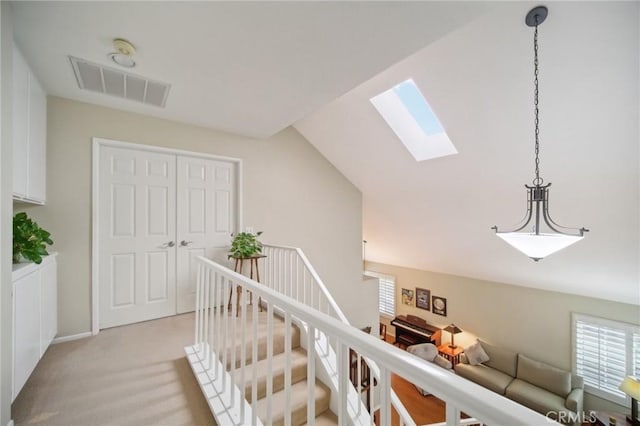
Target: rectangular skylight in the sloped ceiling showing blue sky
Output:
[{"x": 409, "y": 115}]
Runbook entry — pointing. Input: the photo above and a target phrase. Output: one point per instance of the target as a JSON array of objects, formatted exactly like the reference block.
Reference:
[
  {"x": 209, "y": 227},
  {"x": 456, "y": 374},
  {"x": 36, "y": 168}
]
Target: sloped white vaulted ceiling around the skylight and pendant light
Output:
[{"x": 436, "y": 215}]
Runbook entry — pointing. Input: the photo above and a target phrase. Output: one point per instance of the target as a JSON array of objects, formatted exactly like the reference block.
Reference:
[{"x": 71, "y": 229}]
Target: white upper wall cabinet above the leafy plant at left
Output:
[{"x": 29, "y": 133}]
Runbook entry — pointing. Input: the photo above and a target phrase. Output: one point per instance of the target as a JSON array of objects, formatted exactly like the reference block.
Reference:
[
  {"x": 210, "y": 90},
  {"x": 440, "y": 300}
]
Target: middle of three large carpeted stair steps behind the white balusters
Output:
[{"x": 298, "y": 373}]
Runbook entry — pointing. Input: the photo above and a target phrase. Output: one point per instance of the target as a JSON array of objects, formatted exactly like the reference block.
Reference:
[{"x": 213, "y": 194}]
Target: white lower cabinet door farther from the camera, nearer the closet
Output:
[{"x": 49, "y": 303}]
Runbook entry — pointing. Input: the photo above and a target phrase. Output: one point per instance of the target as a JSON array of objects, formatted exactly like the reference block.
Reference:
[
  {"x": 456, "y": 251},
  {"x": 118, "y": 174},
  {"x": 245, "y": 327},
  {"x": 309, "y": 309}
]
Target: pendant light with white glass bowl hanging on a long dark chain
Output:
[{"x": 537, "y": 242}]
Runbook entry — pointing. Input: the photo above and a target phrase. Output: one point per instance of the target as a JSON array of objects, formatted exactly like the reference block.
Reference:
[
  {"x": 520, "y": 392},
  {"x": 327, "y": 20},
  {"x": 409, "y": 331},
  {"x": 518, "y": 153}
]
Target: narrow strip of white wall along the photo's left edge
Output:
[{"x": 6, "y": 208}]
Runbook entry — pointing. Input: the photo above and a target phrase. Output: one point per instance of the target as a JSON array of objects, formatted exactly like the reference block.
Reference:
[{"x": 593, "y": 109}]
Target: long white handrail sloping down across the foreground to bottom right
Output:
[{"x": 459, "y": 393}]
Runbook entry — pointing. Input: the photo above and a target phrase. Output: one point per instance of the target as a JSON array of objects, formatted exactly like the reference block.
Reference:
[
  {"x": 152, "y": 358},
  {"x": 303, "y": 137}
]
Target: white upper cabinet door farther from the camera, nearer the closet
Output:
[{"x": 36, "y": 182}]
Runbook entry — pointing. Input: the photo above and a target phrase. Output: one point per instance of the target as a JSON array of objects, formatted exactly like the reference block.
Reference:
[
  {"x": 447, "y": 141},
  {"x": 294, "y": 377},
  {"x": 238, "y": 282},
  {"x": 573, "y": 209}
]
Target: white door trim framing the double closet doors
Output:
[{"x": 95, "y": 245}]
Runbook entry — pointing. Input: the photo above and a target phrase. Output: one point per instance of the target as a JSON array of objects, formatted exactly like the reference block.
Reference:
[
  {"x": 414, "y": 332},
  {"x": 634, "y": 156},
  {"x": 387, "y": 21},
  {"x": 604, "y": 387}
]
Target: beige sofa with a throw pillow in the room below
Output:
[{"x": 534, "y": 384}]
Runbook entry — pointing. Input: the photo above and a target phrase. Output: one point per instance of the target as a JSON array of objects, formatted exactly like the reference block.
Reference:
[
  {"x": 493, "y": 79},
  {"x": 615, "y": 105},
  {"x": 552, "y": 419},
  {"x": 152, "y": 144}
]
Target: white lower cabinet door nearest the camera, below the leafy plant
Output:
[{"x": 26, "y": 311}]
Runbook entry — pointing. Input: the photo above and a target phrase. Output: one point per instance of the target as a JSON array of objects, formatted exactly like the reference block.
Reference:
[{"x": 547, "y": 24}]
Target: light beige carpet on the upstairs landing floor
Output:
[{"x": 130, "y": 375}]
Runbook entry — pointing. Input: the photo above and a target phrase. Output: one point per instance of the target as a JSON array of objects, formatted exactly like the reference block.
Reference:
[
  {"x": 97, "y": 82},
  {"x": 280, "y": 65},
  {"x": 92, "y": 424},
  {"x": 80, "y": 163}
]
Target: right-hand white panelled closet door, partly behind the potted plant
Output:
[{"x": 206, "y": 211}]
